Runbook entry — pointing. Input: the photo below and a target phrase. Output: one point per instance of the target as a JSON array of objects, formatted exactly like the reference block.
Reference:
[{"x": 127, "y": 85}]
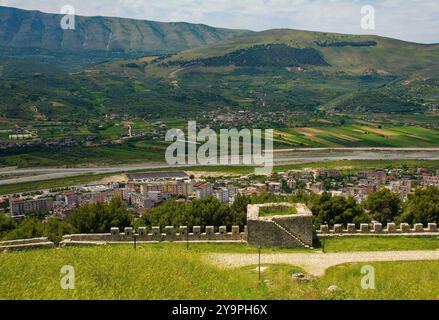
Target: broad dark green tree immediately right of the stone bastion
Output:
[{"x": 337, "y": 210}]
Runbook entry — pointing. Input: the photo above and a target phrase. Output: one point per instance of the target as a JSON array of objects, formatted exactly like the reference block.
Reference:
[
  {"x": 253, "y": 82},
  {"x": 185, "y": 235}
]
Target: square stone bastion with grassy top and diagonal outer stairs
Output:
[{"x": 282, "y": 231}]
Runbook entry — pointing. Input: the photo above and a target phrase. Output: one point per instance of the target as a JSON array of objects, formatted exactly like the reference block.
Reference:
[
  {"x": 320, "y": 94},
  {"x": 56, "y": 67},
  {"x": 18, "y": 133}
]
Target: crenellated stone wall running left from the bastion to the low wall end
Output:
[{"x": 168, "y": 234}]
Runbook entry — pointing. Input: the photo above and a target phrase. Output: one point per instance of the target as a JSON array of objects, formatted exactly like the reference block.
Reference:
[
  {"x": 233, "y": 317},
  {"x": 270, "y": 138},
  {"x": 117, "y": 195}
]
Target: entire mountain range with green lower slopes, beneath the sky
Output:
[{"x": 153, "y": 69}]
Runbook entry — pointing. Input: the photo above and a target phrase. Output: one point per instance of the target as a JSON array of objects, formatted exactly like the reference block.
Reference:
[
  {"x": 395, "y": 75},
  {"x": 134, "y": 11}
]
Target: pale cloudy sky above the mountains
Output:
[{"x": 410, "y": 20}]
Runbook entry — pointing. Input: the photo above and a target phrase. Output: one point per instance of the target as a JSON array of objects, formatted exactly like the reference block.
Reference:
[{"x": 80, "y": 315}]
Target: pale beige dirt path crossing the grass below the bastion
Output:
[{"x": 317, "y": 263}]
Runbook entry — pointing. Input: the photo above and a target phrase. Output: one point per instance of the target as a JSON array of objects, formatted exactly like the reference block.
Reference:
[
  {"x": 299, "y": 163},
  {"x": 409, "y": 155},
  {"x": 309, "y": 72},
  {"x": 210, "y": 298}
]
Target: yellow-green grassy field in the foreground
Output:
[{"x": 171, "y": 272}]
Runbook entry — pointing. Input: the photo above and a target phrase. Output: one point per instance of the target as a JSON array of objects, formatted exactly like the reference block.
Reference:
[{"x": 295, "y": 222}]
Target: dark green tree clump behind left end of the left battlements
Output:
[{"x": 100, "y": 217}]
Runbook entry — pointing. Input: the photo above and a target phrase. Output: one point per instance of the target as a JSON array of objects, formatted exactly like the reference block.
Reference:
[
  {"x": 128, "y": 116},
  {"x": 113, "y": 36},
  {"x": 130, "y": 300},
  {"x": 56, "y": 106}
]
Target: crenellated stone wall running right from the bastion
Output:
[{"x": 378, "y": 229}]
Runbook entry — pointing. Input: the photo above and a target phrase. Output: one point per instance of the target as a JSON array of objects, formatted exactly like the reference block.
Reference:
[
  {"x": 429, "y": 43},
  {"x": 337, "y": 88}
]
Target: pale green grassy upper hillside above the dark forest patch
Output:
[{"x": 348, "y": 53}]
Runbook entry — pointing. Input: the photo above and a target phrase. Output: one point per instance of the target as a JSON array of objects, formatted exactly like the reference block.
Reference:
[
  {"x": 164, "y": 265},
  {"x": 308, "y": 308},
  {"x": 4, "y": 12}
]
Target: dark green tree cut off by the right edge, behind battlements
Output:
[{"x": 422, "y": 207}]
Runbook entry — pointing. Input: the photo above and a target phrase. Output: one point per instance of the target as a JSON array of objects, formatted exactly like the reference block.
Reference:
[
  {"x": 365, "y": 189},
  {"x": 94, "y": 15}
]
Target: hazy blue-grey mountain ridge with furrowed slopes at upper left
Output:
[{"x": 22, "y": 29}]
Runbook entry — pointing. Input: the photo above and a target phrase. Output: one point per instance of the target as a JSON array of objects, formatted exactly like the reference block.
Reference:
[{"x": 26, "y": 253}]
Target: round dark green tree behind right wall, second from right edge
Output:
[{"x": 384, "y": 206}]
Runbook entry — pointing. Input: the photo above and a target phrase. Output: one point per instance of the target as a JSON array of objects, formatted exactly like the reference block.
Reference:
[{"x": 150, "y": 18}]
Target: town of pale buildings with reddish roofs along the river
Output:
[{"x": 143, "y": 191}]
